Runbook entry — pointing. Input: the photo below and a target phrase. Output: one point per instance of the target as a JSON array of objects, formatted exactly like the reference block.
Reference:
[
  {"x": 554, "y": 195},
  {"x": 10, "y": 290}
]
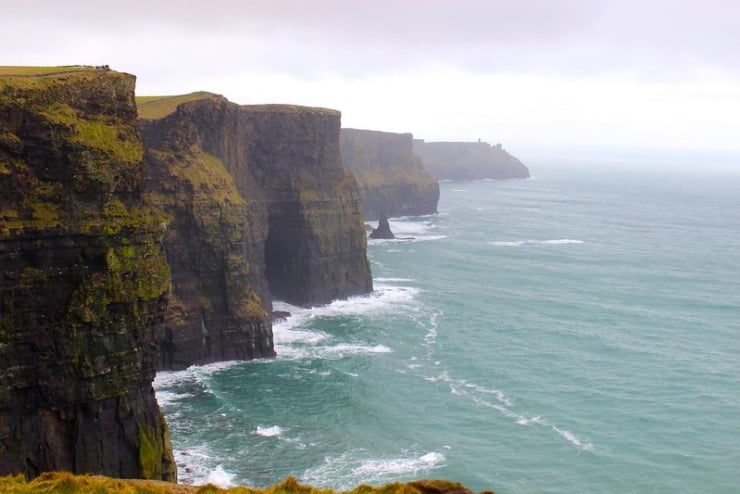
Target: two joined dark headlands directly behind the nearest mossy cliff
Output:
[{"x": 261, "y": 207}]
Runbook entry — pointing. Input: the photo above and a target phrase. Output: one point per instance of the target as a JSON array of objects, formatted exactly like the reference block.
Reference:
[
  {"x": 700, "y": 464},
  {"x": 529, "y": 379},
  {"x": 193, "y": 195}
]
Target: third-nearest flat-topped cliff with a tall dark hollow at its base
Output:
[{"x": 315, "y": 250}]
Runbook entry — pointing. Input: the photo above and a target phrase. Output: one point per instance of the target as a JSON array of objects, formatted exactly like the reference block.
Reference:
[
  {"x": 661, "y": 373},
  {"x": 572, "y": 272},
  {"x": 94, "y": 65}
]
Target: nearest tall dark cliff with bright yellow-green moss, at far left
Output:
[{"x": 83, "y": 281}]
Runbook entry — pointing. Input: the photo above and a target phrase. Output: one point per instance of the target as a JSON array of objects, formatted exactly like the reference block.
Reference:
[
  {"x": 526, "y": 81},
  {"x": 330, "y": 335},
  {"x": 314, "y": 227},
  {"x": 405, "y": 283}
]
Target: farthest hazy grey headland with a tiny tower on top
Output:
[{"x": 469, "y": 160}]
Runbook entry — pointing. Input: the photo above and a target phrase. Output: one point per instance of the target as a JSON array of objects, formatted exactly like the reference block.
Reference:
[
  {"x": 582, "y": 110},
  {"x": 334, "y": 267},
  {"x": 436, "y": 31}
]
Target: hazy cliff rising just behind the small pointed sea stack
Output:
[{"x": 392, "y": 179}]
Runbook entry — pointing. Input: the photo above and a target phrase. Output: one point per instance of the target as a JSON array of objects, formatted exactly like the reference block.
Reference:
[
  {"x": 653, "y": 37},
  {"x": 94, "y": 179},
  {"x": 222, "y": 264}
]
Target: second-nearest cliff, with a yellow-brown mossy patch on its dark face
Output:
[{"x": 214, "y": 240}]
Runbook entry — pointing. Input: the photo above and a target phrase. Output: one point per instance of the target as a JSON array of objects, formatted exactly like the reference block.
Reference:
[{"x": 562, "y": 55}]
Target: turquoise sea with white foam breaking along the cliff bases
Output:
[{"x": 577, "y": 332}]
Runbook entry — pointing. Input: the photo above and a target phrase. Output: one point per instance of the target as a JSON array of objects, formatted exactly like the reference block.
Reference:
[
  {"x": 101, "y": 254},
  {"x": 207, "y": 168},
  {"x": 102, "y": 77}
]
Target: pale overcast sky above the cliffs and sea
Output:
[{"x": 531, "y": 74}]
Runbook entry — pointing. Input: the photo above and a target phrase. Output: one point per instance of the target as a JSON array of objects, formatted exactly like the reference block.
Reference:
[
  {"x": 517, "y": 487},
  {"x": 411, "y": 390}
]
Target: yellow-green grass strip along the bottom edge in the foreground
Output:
[{"x": 66, "y": 483}]
